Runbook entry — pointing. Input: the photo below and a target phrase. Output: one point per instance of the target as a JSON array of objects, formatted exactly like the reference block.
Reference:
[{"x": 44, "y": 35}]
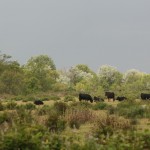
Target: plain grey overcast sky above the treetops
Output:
[{"x": 71, "y": 32}]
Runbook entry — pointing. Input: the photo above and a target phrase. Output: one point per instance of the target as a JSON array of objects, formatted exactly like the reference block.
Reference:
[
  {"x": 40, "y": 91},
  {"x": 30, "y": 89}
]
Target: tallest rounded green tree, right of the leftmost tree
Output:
[{"x": 41, "y": 73}]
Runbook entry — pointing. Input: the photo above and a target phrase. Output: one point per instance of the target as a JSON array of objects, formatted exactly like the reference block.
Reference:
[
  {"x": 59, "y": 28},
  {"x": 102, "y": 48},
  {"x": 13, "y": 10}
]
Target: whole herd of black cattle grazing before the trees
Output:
[{"x": 109, "y": 95}]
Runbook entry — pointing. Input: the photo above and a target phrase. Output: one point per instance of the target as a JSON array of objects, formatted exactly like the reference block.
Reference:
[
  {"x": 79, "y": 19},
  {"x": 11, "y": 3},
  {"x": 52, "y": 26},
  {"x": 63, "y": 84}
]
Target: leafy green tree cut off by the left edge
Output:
[{"x": 11, "y": 76}]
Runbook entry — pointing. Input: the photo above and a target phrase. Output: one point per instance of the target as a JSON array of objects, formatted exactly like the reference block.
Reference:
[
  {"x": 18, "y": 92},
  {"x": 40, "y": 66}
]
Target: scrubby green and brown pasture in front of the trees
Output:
[{"x": 64, "y": 122}]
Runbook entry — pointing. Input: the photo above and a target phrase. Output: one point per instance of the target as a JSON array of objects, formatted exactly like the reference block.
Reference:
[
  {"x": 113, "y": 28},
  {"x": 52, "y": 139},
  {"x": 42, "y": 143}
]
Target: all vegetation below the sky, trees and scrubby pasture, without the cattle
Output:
[{"x": 63, "y": 122}]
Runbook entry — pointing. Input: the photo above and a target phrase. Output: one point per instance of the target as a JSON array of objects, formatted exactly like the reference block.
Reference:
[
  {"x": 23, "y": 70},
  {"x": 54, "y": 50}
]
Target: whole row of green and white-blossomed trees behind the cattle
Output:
[{"x": 39, "y": 74}]
